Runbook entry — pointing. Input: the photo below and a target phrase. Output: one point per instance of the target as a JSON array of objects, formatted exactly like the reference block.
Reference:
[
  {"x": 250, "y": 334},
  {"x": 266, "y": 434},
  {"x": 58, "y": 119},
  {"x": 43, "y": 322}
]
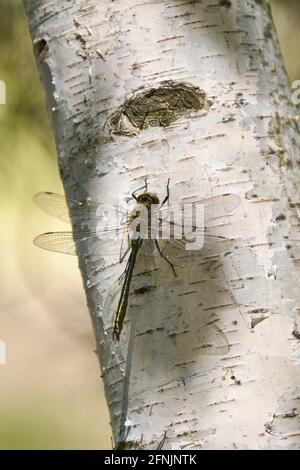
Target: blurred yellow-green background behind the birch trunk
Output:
[{"x": 51, "y": 395}]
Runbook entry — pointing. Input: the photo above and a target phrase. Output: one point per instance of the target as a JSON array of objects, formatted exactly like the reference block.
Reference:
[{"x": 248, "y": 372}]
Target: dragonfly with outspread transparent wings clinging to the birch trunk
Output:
[{"x": 150, "y": 228}]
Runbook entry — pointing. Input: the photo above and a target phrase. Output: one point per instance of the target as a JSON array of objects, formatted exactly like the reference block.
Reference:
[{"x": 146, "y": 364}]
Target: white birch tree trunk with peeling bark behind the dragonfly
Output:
[{"x": 225, "y": 124}]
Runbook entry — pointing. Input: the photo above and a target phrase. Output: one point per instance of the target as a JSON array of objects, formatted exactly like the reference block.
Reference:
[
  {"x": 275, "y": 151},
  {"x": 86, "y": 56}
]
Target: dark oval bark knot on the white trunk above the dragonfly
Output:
[{"x": 156, "y": 107}]
